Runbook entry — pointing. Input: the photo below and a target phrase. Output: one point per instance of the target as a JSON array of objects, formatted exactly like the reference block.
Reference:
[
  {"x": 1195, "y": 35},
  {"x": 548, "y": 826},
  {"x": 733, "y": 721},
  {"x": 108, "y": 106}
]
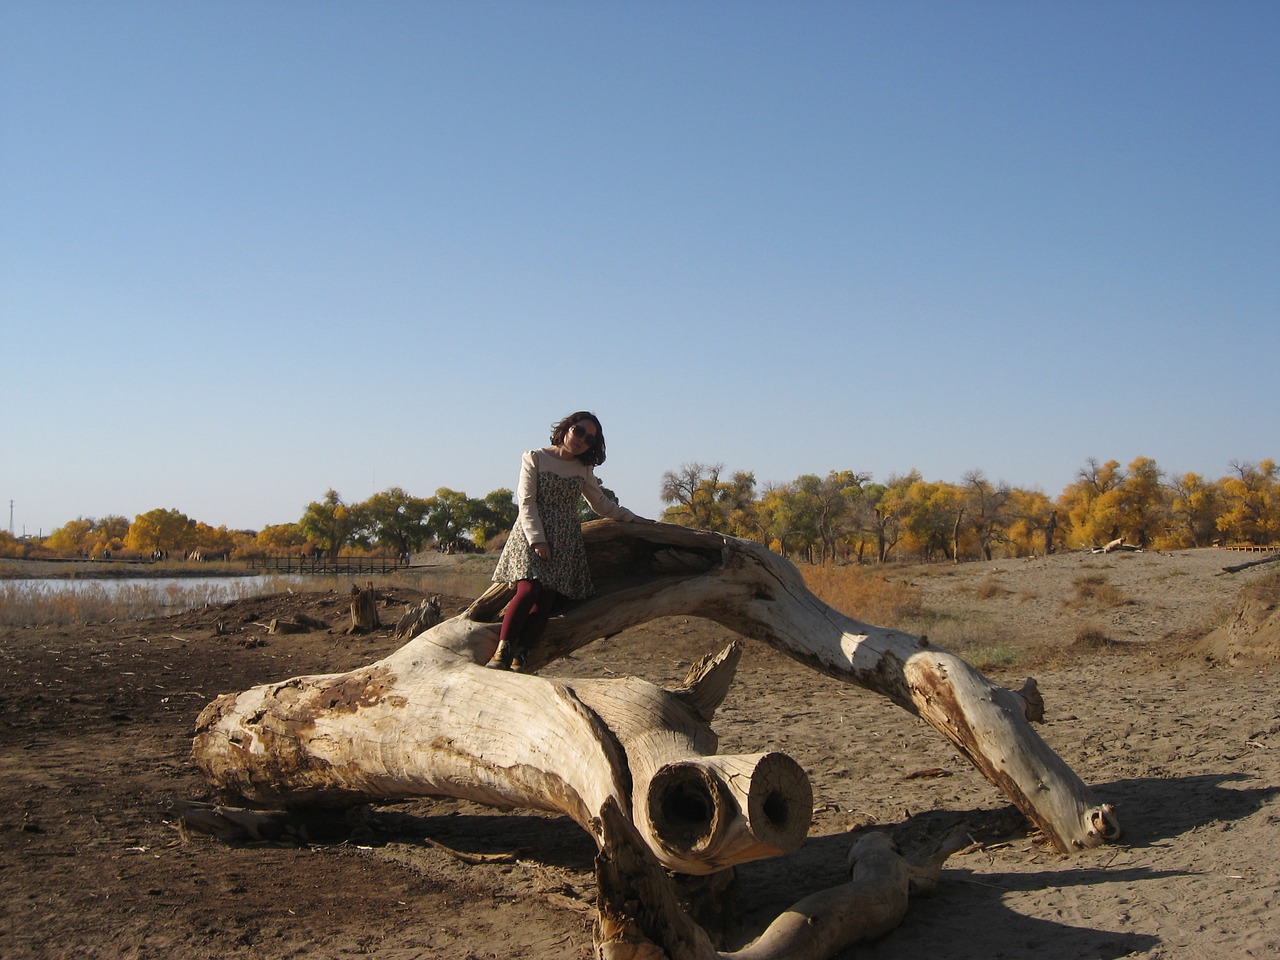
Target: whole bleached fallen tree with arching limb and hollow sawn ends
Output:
[{"x": 432, "y": 721}]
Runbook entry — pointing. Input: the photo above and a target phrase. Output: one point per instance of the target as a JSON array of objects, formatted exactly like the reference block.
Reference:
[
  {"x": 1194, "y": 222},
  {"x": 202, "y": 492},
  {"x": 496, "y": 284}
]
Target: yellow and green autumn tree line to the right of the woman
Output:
[{"x": 845, "y": 515}]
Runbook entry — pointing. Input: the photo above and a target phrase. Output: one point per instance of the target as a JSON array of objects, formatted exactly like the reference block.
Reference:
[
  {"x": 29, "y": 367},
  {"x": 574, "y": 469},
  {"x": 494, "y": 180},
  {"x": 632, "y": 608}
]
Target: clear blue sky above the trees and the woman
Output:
[{"x": 252, "y": 252}]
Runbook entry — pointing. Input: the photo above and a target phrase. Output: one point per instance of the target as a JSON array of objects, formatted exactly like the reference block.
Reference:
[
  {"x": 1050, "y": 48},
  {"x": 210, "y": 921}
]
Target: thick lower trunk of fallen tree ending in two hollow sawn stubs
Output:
[{"x": 432, "y": 723}]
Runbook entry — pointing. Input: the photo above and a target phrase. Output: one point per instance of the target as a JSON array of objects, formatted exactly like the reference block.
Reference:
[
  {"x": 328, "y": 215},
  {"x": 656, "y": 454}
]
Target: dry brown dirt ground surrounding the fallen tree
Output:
[{"x": 97, "y": 724}]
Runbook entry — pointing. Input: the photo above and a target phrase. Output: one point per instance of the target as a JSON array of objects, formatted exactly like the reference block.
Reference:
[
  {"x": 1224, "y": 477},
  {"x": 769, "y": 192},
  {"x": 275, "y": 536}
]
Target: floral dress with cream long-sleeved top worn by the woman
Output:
[{"x": 550, "y": 496}]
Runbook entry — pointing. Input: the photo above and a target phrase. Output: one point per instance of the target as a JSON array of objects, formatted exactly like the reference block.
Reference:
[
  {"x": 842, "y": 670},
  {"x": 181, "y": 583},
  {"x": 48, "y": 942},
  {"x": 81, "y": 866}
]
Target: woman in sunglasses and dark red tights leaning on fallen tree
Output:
[{"x": 545, "y": 556}]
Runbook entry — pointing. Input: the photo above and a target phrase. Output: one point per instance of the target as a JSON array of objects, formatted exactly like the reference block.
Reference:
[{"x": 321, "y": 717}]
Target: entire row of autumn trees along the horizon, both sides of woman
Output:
[{"x": 842, "y": 516}]
